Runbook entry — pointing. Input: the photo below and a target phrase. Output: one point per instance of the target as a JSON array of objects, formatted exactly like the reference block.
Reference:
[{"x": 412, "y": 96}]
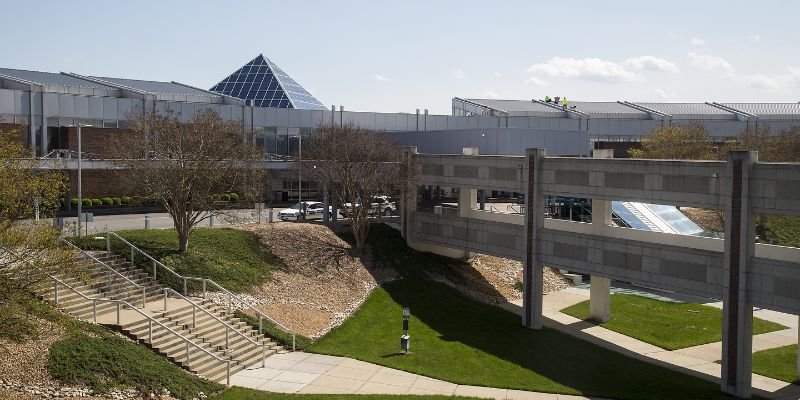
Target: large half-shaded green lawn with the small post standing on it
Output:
[{"x": 462, "y": 341}]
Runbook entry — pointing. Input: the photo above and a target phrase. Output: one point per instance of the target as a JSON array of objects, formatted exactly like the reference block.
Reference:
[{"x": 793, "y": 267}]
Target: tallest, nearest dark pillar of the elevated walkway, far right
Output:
[{"x": 737, "y": 307}]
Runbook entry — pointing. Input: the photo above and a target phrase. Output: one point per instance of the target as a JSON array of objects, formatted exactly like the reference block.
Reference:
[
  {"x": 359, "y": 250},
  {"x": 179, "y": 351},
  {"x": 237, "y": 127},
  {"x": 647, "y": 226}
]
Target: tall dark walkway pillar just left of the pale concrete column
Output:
[{"x": 534, "y": 222}]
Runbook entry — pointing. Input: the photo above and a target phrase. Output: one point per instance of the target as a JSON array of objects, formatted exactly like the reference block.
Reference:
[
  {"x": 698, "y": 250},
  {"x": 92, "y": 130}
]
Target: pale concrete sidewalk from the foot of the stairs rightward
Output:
[{"x": 316, "y": 373}]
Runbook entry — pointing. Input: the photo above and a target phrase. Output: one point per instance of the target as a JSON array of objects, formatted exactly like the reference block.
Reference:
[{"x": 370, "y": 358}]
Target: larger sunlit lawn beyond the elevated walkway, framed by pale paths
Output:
[{"x": 668, "y": 325}]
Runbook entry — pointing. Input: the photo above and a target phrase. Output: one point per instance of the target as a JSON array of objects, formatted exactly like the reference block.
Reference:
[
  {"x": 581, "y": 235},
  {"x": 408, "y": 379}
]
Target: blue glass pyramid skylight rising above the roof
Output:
[{"x": 267, "y": 85}]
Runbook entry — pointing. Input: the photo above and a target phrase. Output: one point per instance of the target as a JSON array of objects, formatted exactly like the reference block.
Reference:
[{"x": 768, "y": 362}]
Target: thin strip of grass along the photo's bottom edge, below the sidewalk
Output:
[{"x": 238, "y": 393}]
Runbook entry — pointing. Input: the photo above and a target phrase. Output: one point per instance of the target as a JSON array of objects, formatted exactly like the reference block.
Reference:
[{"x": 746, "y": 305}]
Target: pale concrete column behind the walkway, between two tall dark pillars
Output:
[{"x": 600, "y": 289}]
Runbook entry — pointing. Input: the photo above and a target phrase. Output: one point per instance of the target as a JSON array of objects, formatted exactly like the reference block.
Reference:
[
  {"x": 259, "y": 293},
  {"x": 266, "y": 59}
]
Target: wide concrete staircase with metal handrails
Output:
[{"x": 195, "y": 333}]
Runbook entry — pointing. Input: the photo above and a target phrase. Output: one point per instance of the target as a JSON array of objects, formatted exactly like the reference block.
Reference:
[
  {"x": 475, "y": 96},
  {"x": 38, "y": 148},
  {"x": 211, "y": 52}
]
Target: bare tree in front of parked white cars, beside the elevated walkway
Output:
[{"x": 355, "y": 165}]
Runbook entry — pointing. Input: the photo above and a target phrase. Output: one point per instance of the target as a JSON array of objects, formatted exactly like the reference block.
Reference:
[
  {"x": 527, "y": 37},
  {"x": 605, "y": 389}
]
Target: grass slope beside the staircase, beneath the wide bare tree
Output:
[{"x": 233, "y": 258}]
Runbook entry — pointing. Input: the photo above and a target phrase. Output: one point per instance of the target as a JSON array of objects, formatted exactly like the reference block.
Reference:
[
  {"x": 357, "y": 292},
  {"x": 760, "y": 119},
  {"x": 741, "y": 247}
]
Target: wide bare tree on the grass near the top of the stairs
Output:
[{"x": 185, "y": 164}]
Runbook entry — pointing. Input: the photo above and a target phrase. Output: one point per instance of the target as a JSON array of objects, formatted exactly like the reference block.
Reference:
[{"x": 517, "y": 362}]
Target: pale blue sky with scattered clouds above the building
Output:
[{"x": 399, "y": 56}]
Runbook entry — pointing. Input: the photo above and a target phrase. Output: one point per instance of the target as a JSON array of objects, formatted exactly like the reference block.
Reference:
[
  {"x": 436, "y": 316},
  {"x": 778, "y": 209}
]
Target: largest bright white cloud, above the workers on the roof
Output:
[{"x": 586, "y": 68}]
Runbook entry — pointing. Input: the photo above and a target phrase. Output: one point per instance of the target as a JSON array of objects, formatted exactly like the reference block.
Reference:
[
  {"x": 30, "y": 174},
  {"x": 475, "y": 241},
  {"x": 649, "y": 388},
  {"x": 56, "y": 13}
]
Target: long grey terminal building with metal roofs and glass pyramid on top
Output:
[{"x": 278, "y": 112}]
